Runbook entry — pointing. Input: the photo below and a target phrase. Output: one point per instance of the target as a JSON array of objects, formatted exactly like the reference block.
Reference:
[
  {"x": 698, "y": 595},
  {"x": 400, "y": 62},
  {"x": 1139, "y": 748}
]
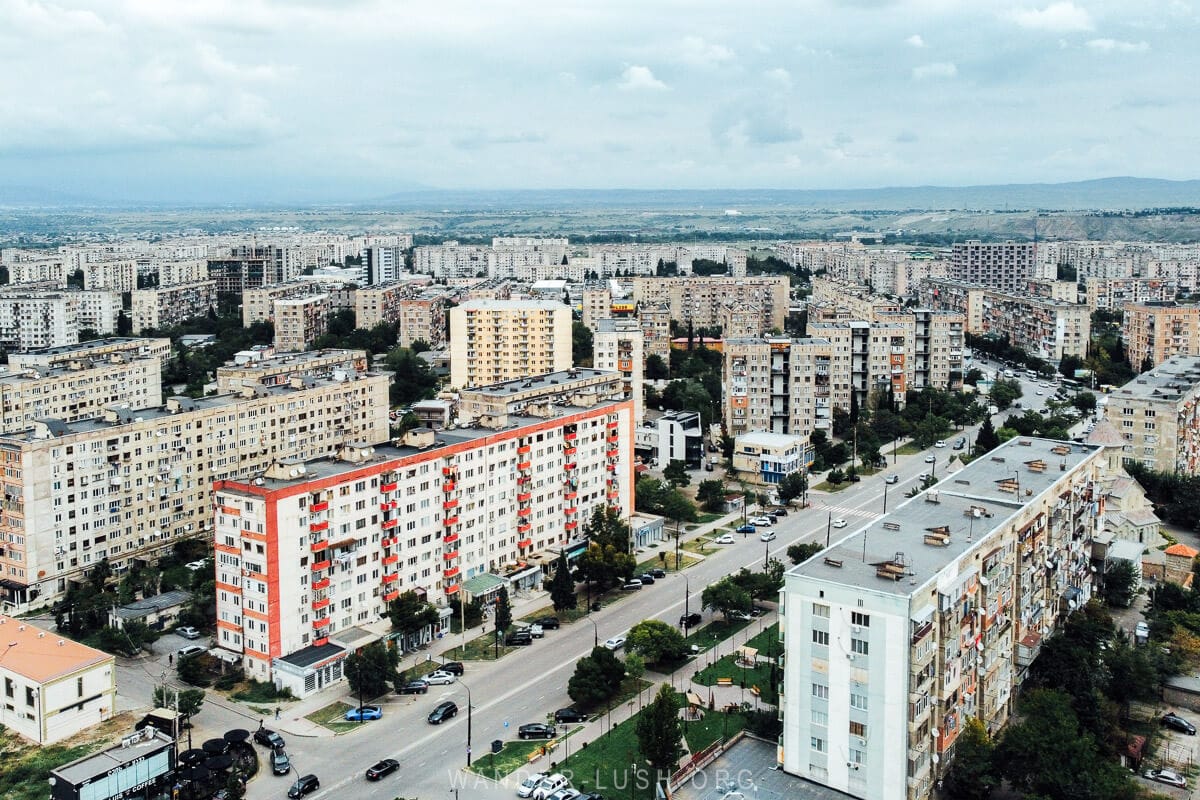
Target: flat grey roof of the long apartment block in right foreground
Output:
[{"x": 969, "y": 503}]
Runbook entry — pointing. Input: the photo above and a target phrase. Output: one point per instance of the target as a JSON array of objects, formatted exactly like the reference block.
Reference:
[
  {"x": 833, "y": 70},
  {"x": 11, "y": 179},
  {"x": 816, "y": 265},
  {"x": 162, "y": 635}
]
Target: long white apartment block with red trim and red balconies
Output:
[{"x": 310, "y": 556}]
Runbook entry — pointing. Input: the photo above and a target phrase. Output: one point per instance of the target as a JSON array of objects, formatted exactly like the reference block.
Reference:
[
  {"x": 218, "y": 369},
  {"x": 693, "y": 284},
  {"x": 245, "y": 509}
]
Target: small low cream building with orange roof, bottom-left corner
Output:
[{"x": 53, "y": 688}]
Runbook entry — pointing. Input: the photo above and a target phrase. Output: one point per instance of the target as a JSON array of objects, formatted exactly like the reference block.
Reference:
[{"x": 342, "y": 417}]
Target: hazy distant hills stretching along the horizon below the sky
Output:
[{"x": 1101, "y": 195}]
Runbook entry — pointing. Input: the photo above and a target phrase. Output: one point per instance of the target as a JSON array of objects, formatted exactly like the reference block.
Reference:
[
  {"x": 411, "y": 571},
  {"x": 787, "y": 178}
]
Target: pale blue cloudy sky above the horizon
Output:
[{"x": 350, "y": 100}]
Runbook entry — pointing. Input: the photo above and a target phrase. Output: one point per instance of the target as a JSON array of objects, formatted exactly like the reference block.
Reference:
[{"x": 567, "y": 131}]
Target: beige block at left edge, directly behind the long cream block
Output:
[{"x": 77, "y": 390}]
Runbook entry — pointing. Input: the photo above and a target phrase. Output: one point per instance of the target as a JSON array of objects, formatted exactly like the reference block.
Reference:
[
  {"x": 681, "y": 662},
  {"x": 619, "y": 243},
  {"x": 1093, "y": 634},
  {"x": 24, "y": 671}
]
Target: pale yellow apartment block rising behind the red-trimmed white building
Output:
[{"x": 496, "y": 341}]
